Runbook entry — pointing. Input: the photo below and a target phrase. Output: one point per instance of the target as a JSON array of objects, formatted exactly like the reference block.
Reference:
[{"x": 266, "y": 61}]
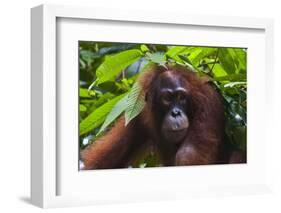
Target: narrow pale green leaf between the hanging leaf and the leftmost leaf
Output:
[{"x": 114, "y": 113}]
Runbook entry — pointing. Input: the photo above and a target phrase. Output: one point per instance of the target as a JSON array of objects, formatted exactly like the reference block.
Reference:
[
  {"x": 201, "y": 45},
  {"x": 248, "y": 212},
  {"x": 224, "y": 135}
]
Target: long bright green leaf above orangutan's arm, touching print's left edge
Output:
[{"x": 97, "y": 117}]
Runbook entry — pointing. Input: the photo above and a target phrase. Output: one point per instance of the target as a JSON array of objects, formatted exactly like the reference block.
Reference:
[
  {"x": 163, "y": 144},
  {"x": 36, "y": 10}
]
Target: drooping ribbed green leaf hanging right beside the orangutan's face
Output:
[{"x": 136, "y": 103}]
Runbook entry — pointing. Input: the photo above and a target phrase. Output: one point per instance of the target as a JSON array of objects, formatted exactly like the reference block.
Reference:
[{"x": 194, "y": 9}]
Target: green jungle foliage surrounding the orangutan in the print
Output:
[{"x": 108, "y": 88}]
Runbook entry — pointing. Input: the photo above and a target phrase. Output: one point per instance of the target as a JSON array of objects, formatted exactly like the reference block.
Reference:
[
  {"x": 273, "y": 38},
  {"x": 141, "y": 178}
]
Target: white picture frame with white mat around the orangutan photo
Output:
[{"x": 49, "y": 160}]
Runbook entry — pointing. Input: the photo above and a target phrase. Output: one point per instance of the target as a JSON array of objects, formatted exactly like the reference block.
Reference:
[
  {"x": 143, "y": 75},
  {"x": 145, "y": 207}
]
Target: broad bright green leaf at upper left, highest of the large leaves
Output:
[{"x": 113, "y": 65}]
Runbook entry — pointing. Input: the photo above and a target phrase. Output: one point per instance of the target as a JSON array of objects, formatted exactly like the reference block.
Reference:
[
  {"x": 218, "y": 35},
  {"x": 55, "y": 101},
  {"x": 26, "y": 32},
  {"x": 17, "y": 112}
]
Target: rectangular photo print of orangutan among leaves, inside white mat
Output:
[{"x": 155, "y": 105}]
